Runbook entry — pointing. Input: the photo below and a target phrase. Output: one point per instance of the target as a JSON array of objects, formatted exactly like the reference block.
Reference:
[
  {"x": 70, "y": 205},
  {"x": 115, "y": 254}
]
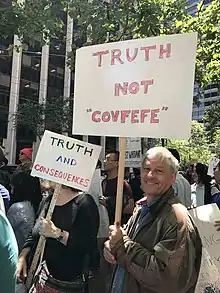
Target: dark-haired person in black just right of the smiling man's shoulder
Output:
[{"x": 201, "y": 189}]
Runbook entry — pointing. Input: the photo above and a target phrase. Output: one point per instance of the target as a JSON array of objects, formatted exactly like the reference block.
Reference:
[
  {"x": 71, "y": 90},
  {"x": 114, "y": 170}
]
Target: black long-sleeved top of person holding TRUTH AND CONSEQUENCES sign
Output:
[{"x": 80, "y": 218}]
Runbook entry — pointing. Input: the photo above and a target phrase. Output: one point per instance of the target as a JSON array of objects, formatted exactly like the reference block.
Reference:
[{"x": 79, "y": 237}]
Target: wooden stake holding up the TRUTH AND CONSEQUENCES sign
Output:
[{"x": 42, "y": 240}]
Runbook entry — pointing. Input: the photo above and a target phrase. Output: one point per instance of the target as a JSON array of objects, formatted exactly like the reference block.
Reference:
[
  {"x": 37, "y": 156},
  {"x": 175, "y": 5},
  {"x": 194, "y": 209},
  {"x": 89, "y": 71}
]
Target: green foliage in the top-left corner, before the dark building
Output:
[{"x": 34, "y": 21}]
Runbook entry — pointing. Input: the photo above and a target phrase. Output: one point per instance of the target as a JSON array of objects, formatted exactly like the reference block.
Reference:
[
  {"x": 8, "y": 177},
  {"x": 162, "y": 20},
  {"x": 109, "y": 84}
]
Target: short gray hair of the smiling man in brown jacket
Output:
[{"x": 163, "y": 155}]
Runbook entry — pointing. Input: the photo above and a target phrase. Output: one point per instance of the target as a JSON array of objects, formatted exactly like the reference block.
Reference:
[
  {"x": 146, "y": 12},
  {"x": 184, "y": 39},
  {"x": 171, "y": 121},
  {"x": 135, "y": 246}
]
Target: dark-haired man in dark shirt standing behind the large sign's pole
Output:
[{"x": 109, "y": 187}]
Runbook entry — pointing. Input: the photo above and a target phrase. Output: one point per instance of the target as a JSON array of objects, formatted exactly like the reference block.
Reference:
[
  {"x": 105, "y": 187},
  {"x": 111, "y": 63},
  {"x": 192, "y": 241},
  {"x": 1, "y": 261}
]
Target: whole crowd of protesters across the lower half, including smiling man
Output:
[{"x": 155, "y": 249}]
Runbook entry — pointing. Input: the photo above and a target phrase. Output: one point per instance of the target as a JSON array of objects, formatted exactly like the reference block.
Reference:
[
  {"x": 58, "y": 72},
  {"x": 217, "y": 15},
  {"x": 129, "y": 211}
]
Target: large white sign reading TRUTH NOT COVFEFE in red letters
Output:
[{"x": 136, "y": 88}]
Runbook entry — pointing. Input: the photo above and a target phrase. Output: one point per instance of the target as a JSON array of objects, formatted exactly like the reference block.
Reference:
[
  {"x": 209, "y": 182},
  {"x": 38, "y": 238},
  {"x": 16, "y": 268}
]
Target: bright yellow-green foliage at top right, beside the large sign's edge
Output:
[{"x": 207, "y": 24}]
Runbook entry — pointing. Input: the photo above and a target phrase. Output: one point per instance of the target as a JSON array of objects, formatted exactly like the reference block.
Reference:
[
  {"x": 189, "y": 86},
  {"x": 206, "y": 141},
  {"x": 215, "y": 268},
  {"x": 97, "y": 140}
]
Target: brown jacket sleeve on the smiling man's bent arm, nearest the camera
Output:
[{"x": 160, "y": 269}]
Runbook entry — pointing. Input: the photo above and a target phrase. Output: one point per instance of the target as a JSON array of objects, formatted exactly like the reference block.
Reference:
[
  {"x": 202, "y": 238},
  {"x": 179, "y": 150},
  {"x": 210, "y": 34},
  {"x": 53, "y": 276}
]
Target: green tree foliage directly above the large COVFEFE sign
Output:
[{"x": 116, "y": 20}]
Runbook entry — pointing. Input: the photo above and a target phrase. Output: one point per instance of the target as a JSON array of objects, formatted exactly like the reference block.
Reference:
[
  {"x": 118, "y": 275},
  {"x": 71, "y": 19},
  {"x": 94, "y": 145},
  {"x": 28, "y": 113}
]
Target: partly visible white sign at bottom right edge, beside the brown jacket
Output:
[{"x": 209, "y": 277}]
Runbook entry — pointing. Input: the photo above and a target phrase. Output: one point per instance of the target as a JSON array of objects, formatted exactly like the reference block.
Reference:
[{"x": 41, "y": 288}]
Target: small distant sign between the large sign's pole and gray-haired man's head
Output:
[{"x": 133, "y": 155}]
